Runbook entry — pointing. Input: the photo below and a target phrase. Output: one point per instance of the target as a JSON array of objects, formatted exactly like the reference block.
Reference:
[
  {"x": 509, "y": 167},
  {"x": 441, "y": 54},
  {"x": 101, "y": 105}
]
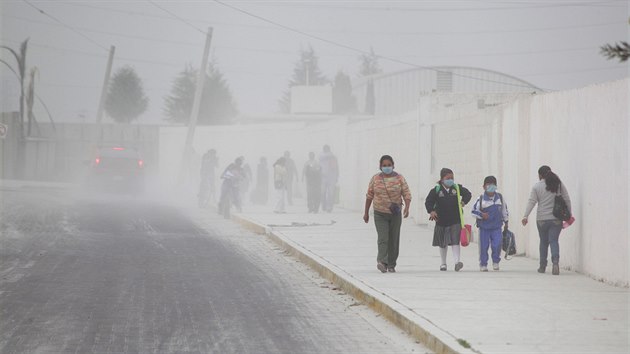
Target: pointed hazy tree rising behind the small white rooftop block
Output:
[{"x": 306, "y": 72}]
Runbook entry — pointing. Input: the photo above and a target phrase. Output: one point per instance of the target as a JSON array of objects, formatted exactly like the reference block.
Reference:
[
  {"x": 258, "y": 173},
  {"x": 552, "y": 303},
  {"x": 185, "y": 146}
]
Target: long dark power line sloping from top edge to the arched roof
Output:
[{"x": 345, "y": 46}]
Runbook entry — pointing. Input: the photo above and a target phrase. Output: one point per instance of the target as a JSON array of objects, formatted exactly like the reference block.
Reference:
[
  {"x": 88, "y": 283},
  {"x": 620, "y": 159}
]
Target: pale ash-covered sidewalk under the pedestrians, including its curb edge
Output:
[{"x": 514, "y": 310}]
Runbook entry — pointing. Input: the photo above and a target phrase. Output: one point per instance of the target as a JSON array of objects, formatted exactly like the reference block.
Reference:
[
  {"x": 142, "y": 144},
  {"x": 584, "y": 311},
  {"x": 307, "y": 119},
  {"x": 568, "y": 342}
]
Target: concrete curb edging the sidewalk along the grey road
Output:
[{"x": 435, "y": 338}]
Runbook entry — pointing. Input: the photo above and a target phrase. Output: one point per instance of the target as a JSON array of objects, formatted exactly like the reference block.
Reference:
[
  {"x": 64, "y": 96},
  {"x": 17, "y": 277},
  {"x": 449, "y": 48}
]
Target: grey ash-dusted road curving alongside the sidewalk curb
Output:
[{"x": 127, "y": 276}]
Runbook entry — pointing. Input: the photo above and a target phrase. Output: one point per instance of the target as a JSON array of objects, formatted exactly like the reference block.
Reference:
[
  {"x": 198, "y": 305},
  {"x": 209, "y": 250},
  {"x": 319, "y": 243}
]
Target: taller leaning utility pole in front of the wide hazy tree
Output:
[{"x": 194, "y": 113}]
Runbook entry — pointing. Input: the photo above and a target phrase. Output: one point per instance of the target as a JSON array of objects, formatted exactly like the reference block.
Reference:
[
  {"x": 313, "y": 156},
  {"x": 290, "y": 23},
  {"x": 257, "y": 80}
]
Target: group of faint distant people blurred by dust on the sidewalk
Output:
[{"x": 320, "y": 175}]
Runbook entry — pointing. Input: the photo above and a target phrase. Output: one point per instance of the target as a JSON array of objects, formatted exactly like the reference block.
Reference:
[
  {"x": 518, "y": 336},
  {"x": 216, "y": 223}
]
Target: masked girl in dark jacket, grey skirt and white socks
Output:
[{"x": 442, "y": 203}]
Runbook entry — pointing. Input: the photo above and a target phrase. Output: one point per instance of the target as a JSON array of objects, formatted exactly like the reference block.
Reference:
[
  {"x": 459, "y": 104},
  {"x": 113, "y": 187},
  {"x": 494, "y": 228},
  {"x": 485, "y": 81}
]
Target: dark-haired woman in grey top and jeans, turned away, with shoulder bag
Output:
[{"x": 549, "y": 226}]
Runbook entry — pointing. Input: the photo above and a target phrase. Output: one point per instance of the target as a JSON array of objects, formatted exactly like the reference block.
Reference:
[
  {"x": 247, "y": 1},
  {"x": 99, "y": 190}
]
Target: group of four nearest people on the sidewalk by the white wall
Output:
[{"x": 389, "y": 195}]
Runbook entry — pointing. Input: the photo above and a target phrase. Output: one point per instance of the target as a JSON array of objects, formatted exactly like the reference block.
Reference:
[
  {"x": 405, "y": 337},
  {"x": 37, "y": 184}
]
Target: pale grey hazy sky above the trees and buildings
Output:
[{"x": 553, "y": 44}]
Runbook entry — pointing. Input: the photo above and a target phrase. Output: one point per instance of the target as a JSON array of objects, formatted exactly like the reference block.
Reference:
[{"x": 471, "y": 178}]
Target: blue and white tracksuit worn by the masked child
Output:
[{"x": 490, "y": 230}]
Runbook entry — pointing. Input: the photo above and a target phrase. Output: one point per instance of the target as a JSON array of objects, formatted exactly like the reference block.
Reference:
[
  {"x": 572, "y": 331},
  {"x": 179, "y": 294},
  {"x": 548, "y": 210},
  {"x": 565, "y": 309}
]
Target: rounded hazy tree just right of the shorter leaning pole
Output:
[{"x": 125, "y": 99}]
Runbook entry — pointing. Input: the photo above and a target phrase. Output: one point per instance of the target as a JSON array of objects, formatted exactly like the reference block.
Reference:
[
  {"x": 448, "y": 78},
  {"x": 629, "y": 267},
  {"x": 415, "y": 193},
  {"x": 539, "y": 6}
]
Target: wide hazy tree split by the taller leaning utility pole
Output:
[{"x": 217, "y": 103}]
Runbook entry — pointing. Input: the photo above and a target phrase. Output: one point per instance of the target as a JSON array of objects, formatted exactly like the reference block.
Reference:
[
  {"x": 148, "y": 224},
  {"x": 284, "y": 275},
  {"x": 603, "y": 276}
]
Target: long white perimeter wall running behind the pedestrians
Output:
[{"x": 582, "y": 134}]
